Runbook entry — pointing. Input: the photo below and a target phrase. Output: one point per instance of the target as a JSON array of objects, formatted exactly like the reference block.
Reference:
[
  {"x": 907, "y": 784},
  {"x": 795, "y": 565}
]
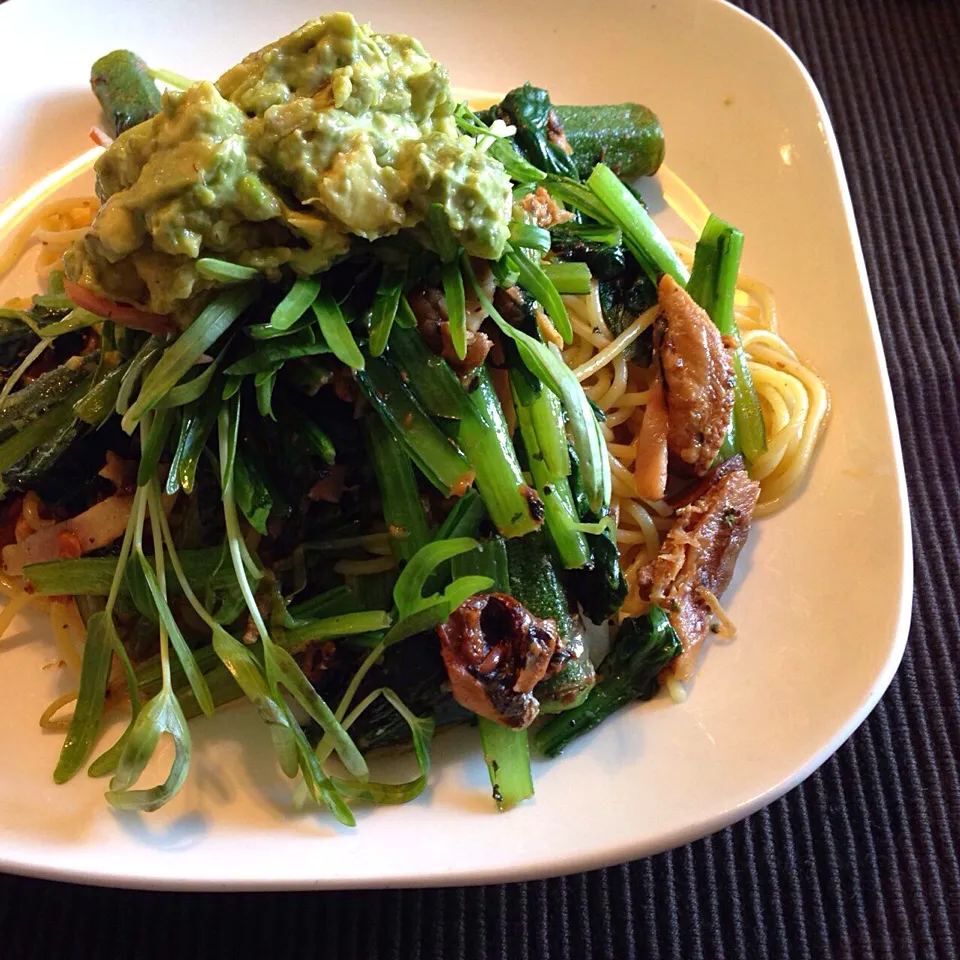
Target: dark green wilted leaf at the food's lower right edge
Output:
[{"x": 630, "y": 671}]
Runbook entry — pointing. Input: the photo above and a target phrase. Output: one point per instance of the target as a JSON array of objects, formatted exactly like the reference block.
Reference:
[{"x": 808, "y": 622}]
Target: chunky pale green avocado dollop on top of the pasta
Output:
[{"x": 331, "y": 133}]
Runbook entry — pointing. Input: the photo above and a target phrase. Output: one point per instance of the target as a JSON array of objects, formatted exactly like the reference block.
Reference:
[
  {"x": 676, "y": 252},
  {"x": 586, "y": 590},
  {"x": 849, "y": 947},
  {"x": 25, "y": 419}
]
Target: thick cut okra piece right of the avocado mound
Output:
[{"x": 627, "y": 137}]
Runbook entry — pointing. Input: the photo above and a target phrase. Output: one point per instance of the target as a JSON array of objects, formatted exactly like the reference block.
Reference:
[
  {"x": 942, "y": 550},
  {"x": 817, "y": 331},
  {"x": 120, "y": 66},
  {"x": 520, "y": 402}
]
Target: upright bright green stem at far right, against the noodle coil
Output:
[{"x": 713, "y": 283}]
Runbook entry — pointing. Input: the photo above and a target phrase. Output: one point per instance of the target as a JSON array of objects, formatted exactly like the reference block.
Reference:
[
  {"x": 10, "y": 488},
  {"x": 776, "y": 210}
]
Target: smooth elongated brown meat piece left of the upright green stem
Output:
[{"x": 697, "y": 375}]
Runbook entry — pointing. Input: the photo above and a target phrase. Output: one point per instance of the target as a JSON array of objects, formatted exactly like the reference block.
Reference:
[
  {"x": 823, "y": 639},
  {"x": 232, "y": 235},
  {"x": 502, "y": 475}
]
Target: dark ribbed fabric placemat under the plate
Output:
[{"x": 861, "y": 860}]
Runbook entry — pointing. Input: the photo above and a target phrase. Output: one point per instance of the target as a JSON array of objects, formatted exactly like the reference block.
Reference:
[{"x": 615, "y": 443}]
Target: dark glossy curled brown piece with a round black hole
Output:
[{"x": 496, "y": 652}]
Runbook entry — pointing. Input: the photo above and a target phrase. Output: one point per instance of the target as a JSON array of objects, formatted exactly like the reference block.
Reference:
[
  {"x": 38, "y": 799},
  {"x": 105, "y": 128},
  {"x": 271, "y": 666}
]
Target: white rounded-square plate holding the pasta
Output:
[{"x": 822, "y": 595}]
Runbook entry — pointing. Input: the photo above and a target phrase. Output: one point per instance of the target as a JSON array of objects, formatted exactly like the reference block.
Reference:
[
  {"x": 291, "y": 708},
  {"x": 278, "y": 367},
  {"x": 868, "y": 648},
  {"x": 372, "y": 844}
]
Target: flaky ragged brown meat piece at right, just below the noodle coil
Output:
[{"x": 697, "y": 560}]
